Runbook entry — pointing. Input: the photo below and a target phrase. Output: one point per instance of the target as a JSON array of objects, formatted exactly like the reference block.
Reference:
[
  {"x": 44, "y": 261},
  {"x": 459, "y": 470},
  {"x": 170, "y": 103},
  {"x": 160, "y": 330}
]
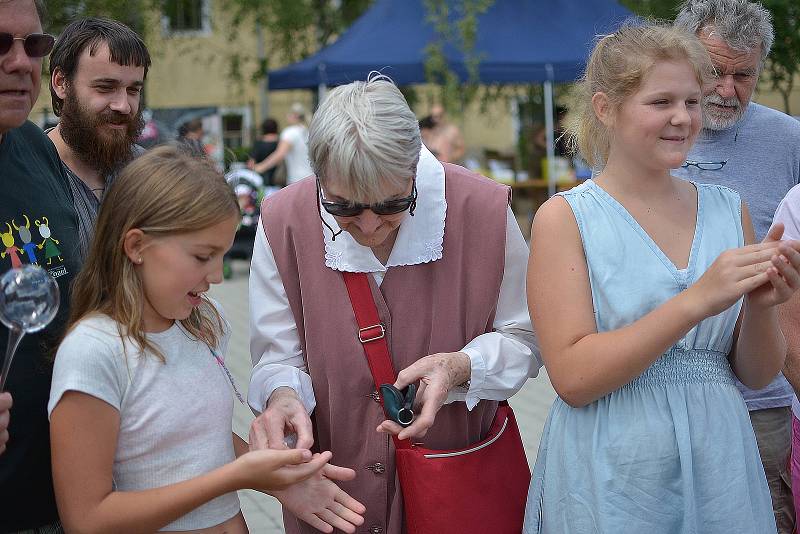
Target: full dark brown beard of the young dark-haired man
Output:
[{"x": 106, "y": 150}]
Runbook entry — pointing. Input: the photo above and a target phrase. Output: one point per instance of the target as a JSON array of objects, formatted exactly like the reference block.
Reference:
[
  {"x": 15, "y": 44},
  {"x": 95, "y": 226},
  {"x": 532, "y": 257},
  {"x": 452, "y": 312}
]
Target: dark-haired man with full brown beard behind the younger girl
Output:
[{"x": 98, "y": 67}]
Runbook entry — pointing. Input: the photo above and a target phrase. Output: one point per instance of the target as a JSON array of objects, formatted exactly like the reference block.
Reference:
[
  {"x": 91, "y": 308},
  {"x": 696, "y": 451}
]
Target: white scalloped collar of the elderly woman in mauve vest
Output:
[{"x": 419, "y": 239}]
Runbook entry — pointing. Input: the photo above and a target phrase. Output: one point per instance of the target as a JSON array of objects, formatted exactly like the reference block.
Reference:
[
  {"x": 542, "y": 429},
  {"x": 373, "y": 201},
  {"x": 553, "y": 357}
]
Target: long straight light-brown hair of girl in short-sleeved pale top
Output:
[{"x": 163, "y": 192}]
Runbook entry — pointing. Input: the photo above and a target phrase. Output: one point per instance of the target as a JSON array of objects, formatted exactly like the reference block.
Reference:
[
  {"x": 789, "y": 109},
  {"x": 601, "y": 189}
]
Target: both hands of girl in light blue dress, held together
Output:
[{"x": 740, "y": 271}]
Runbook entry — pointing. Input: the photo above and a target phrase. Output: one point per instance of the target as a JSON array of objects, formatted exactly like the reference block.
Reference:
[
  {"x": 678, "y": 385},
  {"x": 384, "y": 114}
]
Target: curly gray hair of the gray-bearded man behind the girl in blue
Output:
[{"x": 742, "y": 24}]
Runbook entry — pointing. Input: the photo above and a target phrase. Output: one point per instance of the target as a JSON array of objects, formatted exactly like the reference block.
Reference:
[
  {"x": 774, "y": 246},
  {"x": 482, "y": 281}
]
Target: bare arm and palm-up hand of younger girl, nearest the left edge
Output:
[{"x": 84, "y": 434}]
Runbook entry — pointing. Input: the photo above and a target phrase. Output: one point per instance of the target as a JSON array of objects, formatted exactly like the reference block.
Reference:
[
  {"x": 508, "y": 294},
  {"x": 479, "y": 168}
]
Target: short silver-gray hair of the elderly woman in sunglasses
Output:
[{"x": 366, "y": 137}]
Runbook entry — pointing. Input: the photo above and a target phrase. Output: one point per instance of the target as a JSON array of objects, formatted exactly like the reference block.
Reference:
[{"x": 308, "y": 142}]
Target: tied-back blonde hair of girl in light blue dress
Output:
[{"x": 617, "y": 66}]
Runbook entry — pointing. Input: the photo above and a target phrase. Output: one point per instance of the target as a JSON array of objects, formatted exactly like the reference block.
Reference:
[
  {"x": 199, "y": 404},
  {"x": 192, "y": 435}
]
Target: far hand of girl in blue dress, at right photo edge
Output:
[{"x": 783, "y": 274}]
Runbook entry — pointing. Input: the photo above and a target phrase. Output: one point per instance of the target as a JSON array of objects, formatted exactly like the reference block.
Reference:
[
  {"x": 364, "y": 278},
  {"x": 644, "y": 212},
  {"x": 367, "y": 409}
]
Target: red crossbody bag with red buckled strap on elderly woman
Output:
[{"x": 478, "y": 489}]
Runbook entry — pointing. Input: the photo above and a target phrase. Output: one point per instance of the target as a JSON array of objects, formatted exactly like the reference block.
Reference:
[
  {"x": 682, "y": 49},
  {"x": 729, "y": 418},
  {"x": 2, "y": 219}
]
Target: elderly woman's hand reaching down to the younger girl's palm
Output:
[{"x": 285, "y": 415}]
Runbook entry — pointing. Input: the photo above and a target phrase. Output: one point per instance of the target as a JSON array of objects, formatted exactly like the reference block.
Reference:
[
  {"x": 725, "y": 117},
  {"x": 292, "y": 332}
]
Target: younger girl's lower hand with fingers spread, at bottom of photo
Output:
[{"x": 321, "y": 503}]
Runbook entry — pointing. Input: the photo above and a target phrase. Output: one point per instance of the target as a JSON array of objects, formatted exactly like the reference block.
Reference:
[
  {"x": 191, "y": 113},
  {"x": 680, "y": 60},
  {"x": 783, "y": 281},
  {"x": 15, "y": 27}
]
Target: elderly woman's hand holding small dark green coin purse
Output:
[{"x": 437, "y": 375}]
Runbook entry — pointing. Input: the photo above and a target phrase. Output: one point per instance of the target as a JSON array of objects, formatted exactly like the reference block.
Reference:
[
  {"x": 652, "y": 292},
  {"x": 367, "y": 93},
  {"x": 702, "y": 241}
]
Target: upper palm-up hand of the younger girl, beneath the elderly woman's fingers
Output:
[{"x": 271, "y": 470}]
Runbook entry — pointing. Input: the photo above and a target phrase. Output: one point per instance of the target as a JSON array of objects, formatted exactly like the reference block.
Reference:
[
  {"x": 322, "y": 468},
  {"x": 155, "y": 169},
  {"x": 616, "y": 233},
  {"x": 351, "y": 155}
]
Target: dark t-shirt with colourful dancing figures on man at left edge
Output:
[{"x": 38, "y": 224}]
